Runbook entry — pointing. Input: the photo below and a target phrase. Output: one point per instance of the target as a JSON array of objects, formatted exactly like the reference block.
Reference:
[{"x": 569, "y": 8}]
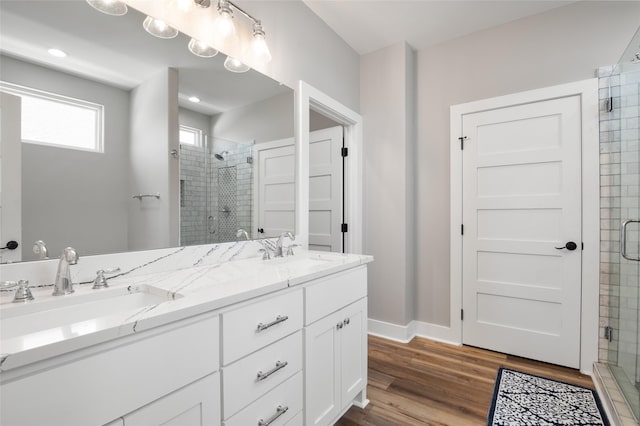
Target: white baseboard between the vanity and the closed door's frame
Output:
[{"x": 404, "y": 333}]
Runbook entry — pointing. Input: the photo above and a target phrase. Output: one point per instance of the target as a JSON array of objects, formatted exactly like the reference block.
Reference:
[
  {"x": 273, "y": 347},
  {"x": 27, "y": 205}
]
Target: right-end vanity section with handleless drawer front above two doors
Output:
[{"x": 335, "y": 345}]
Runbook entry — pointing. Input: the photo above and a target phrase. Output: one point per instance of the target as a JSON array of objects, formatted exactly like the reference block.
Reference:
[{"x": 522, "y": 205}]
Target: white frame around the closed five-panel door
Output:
[{"x": 589, "y": 313}]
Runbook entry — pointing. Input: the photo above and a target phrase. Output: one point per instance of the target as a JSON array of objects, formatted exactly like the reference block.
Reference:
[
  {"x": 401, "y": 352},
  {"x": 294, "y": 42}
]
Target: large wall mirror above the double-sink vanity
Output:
[{"x": 163, "y": 171}]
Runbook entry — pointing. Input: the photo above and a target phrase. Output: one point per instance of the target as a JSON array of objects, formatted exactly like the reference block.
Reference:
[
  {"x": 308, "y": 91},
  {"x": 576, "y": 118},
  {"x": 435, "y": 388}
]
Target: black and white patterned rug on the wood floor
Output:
[{"x": 522, "y": 399}]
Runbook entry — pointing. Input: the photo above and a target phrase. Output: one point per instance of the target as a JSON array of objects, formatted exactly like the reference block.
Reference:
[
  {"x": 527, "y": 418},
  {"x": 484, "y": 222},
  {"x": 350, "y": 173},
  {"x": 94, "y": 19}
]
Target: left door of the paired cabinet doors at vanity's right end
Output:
[{"x": 322, "y": 403}]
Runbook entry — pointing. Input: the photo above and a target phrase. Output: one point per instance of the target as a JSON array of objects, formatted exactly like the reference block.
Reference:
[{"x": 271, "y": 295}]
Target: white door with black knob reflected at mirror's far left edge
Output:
[{"x": 10, "y": 176}]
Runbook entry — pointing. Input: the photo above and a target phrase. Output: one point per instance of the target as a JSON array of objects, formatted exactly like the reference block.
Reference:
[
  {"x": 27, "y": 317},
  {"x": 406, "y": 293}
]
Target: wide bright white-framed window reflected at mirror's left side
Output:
[{"x": 56, "y": 120}]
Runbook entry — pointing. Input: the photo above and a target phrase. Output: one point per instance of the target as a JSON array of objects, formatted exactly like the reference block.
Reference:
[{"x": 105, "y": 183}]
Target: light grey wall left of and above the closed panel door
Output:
[{"x": 562, "y": 45}]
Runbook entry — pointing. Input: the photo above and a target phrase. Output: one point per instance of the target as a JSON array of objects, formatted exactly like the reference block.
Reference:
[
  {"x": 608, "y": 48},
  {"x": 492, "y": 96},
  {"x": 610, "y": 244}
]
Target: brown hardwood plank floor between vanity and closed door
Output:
[{"x": 431, "y": 383}]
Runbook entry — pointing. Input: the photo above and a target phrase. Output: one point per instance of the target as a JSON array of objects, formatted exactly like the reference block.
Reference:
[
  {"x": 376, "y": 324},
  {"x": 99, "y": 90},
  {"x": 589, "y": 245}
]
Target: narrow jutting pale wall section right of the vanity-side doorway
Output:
[{"x": 387, "y": 87}]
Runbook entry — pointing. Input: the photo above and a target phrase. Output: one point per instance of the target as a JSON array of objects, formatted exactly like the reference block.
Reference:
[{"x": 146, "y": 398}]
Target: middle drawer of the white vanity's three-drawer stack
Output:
[{"x": 240, "y": 383}]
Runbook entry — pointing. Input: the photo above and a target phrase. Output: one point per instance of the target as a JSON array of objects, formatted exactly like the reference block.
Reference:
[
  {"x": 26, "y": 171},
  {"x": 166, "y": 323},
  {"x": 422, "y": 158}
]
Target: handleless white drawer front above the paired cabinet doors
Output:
[{"x": 329, "y": 294}]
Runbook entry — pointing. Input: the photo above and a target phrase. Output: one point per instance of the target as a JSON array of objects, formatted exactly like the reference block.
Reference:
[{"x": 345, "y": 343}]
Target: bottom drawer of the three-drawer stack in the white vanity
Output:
[{"x": 287, "y": 395}]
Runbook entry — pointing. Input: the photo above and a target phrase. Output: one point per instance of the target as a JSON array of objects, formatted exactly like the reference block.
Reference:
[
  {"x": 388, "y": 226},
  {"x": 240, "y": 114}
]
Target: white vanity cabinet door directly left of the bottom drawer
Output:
[{"x": 197, "y": 404}]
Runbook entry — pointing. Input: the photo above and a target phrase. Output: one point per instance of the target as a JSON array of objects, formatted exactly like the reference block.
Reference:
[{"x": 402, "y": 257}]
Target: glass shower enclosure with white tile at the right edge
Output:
[{"x": 620, "y": 222}]
